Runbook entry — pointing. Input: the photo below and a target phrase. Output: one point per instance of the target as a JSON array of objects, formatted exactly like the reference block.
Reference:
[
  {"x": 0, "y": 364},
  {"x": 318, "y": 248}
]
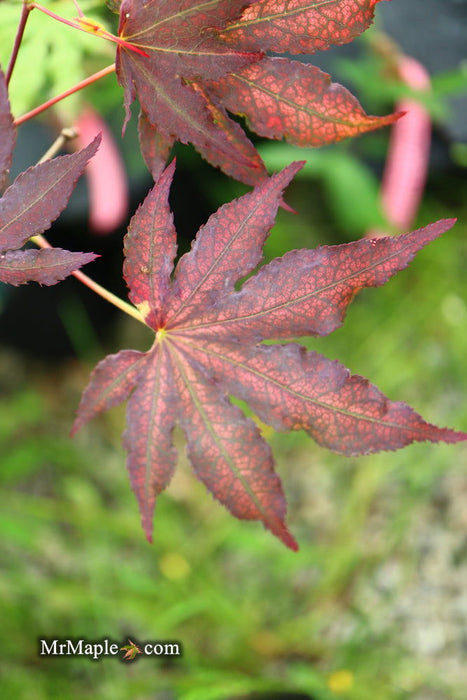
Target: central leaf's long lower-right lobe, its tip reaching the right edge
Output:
[{"x": 292, "y": 389}]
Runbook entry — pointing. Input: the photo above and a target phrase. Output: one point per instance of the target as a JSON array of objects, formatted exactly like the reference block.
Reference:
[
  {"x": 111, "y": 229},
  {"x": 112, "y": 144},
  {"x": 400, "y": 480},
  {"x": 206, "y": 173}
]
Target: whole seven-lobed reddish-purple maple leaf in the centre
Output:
[{"x": 207, "y": 346}]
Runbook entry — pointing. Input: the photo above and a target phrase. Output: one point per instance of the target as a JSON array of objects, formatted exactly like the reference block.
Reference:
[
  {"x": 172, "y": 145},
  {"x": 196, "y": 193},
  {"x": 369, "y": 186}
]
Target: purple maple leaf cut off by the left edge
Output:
[{"x": 31, "y": 204}]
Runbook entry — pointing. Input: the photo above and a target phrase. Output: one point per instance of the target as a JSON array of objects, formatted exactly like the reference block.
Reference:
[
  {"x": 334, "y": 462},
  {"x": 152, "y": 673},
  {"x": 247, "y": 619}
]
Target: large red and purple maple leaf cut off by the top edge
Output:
[{"x": 208, "y": 56}]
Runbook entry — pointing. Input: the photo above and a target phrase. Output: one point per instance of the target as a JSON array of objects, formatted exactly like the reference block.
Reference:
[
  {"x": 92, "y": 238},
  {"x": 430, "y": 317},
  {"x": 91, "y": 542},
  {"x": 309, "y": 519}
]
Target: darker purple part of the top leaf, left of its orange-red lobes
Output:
[{"x": 180, "y": 40}]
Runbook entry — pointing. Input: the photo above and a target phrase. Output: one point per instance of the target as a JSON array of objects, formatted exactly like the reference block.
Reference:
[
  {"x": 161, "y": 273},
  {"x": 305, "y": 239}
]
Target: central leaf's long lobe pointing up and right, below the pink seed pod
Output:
[{"x": 306, "y": 292}]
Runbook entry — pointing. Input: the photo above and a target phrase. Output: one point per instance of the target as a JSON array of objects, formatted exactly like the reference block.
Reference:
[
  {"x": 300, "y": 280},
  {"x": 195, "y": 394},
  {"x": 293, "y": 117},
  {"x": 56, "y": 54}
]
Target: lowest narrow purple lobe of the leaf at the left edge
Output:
[{"x": 47, "y": 266}]
